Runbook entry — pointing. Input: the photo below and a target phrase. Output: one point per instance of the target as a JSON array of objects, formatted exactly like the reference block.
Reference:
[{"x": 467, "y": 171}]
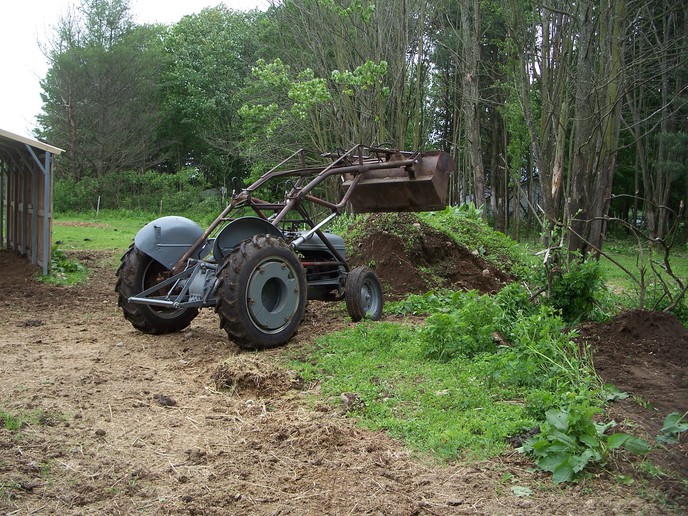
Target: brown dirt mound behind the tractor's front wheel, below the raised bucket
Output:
[{"x": 411, "y": 257}]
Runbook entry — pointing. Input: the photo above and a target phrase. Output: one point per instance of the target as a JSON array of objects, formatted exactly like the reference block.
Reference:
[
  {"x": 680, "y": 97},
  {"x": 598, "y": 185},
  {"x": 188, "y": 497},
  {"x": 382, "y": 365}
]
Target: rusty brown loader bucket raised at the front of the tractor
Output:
[{"x": 422, "y": 186}]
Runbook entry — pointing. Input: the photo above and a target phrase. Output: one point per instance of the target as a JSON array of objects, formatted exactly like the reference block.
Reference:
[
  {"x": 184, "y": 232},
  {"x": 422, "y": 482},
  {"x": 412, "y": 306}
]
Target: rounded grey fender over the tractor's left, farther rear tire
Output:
[{"x": 167, "y": 239}]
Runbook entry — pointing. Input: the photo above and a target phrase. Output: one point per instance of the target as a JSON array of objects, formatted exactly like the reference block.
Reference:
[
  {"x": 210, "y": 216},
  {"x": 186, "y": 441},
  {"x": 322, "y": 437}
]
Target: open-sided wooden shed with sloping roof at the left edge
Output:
[{"x": 26, "y": 196}]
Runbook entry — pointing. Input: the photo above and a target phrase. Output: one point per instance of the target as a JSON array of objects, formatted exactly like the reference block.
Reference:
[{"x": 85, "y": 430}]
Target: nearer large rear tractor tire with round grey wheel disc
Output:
[{"x": 261, "y": 293}]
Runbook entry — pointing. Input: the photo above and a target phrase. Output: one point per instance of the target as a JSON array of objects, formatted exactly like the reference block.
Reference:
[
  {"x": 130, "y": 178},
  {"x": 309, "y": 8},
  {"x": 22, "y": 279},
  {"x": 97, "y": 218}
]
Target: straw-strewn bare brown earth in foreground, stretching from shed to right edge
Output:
[{"x": 133, "y": 423}]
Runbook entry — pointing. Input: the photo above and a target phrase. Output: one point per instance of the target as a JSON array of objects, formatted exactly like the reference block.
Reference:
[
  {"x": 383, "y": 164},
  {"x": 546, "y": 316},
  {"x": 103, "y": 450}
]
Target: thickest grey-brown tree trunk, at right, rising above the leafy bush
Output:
[{"x": 599, "y": 79}]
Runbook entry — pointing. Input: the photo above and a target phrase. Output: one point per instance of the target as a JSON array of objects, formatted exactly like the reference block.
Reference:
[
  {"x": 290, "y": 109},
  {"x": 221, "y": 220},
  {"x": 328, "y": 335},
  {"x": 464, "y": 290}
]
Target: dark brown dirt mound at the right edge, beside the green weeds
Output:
[{"x": 644, "y": 354}]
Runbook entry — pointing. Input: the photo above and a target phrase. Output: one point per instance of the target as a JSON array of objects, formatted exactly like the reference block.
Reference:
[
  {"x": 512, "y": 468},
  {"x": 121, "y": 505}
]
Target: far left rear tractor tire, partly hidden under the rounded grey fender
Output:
[{"x": 138, "y": 272}]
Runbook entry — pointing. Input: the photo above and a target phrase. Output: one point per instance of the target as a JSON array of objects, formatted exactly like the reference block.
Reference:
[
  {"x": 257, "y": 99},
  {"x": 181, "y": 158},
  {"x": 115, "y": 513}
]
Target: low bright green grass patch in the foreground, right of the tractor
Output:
[{"x": 452, "y": 409}]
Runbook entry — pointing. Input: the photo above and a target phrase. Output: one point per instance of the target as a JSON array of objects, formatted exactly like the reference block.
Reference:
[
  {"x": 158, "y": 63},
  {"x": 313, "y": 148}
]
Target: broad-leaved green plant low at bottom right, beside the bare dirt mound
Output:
[{"x": 569, "y": 440}]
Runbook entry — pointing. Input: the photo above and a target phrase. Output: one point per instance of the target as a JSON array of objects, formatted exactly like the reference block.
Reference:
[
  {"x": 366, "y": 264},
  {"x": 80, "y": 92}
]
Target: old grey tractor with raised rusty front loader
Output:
[{"x": 260, "y": 261}]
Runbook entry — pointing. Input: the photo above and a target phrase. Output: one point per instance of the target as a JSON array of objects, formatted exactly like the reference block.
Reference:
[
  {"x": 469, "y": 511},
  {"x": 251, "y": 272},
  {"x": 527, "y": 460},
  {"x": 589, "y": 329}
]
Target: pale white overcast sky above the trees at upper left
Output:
[{"x": 24, "y": 23}]
